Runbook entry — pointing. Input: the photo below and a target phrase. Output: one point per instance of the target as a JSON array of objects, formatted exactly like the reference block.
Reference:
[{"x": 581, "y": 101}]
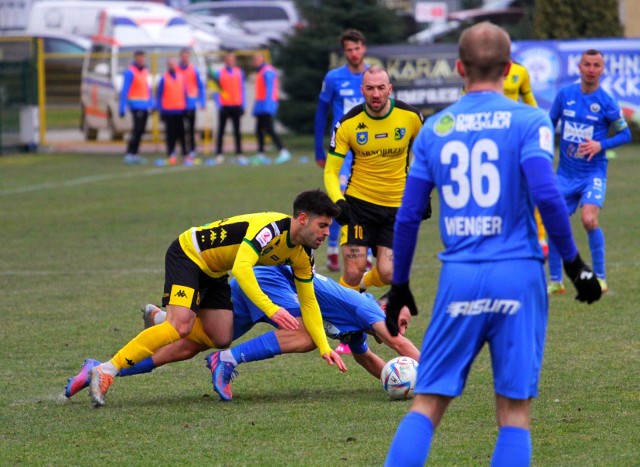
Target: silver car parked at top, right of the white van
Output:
[{"x": 279, "y": 17}]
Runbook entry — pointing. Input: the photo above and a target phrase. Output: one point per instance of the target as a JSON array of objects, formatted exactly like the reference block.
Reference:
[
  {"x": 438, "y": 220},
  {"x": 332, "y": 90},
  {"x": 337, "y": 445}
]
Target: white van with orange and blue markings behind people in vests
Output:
[{"x": 120, "y": 32}]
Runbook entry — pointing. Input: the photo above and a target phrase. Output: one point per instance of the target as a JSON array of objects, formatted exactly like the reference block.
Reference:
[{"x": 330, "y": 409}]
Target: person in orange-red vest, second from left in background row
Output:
[{"x": 172, "y": 103}]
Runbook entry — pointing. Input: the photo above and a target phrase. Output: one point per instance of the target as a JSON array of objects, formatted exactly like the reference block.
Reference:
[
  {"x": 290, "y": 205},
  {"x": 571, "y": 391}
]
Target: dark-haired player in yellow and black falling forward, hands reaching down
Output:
[{"x": 196, "y": 273}]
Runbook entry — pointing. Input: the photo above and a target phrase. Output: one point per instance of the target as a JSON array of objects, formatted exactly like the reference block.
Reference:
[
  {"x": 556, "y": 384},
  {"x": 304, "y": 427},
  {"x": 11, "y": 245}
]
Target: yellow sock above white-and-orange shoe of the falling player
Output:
[{"x": 145, "y": 344}]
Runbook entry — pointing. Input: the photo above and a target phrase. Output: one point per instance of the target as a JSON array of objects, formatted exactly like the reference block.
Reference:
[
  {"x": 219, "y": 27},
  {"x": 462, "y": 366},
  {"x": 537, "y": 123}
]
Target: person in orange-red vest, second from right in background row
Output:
[{"x": 229, "y": 98}]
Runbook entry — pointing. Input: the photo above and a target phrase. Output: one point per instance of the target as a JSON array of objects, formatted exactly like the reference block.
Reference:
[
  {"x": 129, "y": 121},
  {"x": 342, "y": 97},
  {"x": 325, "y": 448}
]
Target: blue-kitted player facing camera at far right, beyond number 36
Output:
[{"x": 586, "y": 113}]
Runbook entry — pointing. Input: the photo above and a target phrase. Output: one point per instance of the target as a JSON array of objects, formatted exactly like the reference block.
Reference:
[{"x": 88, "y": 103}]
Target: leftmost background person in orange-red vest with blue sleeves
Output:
[{"x": 136, "y": 95}]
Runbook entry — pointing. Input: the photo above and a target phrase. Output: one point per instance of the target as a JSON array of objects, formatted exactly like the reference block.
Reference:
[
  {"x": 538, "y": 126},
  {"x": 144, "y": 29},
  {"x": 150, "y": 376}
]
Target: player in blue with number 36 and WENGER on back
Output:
[{"x": 491, "y": 161}]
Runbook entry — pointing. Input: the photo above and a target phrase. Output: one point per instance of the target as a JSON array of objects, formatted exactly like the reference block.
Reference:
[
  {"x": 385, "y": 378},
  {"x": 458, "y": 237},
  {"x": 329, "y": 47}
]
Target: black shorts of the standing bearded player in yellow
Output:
[{"x": 372, "y": 224}]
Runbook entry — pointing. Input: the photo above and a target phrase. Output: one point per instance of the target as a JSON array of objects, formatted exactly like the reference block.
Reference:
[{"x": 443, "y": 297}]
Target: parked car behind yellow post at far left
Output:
[{"x": 63, "y": 55}]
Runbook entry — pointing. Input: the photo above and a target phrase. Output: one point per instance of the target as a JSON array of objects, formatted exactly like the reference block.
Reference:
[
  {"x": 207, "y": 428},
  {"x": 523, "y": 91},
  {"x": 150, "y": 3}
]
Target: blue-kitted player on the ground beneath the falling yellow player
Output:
[{"x": 348, "y": 316}]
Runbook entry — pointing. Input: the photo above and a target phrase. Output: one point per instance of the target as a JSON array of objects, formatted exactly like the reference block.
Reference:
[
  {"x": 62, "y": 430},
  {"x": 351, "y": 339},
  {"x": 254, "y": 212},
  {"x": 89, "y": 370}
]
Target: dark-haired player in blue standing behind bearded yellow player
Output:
[{"x": 340, "y": 93}]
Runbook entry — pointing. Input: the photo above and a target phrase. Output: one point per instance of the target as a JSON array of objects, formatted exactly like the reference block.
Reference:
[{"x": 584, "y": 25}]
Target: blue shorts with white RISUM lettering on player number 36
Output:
[{"x": 502, "y": 303}]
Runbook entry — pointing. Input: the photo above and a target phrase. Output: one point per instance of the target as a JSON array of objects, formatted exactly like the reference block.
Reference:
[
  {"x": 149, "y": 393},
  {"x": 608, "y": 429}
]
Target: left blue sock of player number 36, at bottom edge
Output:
[{"x": 412, "y": 441}]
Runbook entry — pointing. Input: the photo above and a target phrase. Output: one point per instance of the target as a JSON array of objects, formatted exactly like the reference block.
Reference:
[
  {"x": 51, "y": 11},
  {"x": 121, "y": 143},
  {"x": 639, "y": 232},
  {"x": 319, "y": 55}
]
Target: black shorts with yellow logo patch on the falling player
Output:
[{"x": 185, "y": 284}]
